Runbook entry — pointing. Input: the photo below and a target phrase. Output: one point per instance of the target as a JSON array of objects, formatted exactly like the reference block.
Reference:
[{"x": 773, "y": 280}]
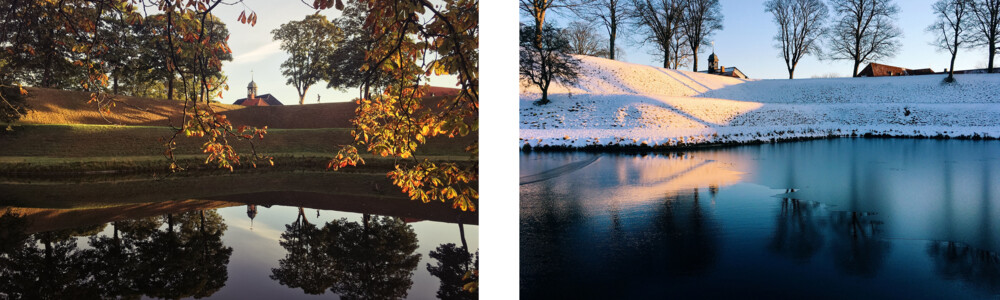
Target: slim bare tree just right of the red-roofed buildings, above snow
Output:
[{"x": 951, "y": 28}]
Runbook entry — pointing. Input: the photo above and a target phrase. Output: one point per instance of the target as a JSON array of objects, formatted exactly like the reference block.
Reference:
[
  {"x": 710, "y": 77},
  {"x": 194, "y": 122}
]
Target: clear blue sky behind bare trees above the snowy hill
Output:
[{"x": 746, "y": 41}]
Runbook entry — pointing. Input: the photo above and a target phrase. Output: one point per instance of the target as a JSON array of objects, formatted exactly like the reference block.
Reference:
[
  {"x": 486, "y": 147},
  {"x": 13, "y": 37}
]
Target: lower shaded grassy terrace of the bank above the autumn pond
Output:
[{"x": 74, "y": 149}]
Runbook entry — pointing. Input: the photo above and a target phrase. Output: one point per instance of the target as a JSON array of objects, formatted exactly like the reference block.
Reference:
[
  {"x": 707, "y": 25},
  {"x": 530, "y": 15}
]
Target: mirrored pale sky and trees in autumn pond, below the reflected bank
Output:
[{"x": 286, "y": 252}]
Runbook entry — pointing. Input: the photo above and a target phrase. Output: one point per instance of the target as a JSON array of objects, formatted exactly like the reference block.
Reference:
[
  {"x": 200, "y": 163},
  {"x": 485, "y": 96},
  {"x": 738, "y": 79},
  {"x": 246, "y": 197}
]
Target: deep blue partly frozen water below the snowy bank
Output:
[{"x": 841, "y": 218}]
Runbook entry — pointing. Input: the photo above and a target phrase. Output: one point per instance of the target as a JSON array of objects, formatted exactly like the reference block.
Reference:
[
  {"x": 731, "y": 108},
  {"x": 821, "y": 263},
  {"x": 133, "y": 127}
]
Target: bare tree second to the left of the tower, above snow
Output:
[{"x": 661, "y": 22}]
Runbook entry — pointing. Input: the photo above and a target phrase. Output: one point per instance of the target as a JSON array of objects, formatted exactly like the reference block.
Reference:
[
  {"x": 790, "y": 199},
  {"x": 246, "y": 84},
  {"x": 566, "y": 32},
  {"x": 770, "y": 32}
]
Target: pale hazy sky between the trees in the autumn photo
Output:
[{"x": 253, "y": 49}]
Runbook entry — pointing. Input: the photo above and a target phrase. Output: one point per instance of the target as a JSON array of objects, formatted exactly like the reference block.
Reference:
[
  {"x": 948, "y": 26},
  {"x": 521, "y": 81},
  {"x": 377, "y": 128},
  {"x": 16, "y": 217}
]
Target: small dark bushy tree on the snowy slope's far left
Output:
[{"x": 550, "y": 63}]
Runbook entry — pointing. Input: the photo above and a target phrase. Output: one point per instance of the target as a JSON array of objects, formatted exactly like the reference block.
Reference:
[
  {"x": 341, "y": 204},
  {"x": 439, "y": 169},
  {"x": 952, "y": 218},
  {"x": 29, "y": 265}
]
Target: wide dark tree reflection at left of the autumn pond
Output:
[{"x": 137, "y": 259}]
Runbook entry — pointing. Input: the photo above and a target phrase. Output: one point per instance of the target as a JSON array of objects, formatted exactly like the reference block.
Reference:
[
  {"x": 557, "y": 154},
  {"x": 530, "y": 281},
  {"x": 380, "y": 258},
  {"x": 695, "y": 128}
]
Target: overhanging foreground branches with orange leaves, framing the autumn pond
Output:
[{"x": 412, "y": 40}]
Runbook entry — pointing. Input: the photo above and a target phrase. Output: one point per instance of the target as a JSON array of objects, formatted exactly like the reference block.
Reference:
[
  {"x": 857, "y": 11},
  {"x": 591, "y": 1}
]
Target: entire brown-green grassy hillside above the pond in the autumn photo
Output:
[{"x": 64, "y": 133}]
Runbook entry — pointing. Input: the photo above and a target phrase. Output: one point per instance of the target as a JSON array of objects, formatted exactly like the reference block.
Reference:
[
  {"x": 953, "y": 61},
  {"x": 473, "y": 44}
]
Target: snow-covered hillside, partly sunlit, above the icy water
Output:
[{"x": 617, "y": 103}]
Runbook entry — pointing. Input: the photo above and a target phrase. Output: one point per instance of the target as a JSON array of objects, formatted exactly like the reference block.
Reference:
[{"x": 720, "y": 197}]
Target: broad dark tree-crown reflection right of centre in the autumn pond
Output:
[{"x": 373, "y": 259}]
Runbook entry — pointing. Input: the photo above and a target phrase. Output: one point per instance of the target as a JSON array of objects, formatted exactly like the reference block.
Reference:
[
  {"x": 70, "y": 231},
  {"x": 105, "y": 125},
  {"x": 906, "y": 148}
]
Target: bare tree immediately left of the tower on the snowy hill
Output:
[{"x": 701, "y": 19}]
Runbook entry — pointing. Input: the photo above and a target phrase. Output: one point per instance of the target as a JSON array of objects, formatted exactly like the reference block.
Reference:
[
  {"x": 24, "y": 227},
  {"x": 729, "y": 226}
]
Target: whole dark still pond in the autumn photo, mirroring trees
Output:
[{"x": 280, "y": 244}]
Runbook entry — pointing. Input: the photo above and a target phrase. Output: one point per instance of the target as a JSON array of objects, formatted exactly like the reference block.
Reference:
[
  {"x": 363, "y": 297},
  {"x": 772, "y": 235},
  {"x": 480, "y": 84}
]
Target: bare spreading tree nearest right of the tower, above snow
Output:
[{"x": 800, "y": 25}]
